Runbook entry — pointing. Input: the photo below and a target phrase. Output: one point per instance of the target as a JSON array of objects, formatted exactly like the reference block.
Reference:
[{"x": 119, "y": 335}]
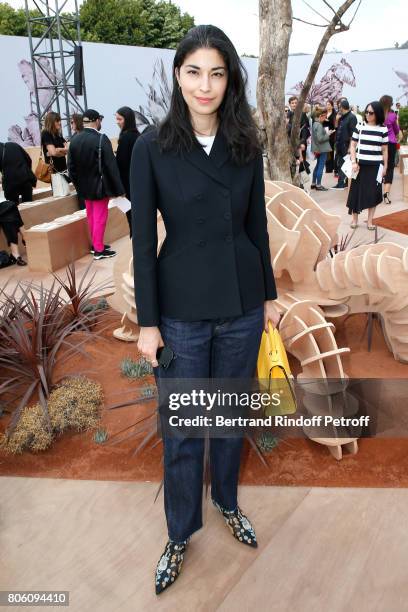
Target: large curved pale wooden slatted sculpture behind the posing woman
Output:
[{"x": 314, "y": 287}]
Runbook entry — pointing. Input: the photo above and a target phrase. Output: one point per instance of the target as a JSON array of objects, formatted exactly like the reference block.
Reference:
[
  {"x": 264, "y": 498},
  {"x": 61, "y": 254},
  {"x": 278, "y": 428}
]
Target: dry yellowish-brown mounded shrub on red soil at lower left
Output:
[{"x": 75, "y": 404}]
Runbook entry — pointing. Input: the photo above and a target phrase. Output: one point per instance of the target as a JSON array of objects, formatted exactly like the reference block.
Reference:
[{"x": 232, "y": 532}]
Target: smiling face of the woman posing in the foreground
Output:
[{"x": 203, "y": 79}]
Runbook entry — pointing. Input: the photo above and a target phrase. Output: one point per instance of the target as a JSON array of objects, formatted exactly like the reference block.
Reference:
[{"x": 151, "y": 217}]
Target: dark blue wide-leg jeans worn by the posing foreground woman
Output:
[{"x": 219, "y": 348}]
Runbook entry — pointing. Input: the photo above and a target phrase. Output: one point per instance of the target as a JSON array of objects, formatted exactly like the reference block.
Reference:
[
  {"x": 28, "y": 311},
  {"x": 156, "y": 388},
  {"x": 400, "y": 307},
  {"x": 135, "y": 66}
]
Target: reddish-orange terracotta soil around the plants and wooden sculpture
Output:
[{"x": 297, "y": 462}]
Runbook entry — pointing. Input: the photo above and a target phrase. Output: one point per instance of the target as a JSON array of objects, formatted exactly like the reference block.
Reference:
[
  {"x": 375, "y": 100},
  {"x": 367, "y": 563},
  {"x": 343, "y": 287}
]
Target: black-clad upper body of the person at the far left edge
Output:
[{"x": 17, "y": 177}]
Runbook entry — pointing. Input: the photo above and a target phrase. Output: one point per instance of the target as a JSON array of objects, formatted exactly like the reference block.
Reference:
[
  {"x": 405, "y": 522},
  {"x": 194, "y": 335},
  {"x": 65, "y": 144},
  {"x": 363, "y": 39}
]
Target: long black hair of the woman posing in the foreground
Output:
[{"x": 235, "y": 119}]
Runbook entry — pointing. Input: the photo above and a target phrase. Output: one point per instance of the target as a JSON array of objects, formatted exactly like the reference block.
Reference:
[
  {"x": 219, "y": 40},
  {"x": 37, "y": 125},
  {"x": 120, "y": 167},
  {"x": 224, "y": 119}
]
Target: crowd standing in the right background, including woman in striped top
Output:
[{"x": 352, "y": 146}]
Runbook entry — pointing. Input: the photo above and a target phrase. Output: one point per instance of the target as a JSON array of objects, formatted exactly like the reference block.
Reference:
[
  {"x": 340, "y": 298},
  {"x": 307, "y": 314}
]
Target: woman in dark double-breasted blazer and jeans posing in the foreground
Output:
[{"x": 209, "y": 293}]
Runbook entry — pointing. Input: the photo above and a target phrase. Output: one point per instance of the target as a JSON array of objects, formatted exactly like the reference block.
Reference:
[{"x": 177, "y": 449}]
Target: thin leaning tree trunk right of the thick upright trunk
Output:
[{"x": 334, "y": 27}]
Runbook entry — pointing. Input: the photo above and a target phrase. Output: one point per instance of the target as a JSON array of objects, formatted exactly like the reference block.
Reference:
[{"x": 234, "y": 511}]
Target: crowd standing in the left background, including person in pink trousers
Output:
[{"x": 87, "y": 160}]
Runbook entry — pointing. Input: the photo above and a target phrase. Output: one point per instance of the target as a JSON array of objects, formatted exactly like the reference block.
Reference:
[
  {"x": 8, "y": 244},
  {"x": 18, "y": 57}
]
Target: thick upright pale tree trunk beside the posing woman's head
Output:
[{"x": 275, "y": 29}]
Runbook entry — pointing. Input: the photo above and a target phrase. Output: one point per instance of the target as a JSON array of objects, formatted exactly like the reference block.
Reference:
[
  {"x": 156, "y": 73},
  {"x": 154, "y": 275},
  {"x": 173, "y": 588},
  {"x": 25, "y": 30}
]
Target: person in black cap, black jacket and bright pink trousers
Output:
[{"x": 93, "y": 170}]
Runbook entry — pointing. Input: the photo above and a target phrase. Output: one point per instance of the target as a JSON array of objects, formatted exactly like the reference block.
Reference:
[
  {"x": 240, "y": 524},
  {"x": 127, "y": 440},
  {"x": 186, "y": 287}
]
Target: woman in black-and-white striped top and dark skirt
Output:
[{"x": 368, "y": 151}]
